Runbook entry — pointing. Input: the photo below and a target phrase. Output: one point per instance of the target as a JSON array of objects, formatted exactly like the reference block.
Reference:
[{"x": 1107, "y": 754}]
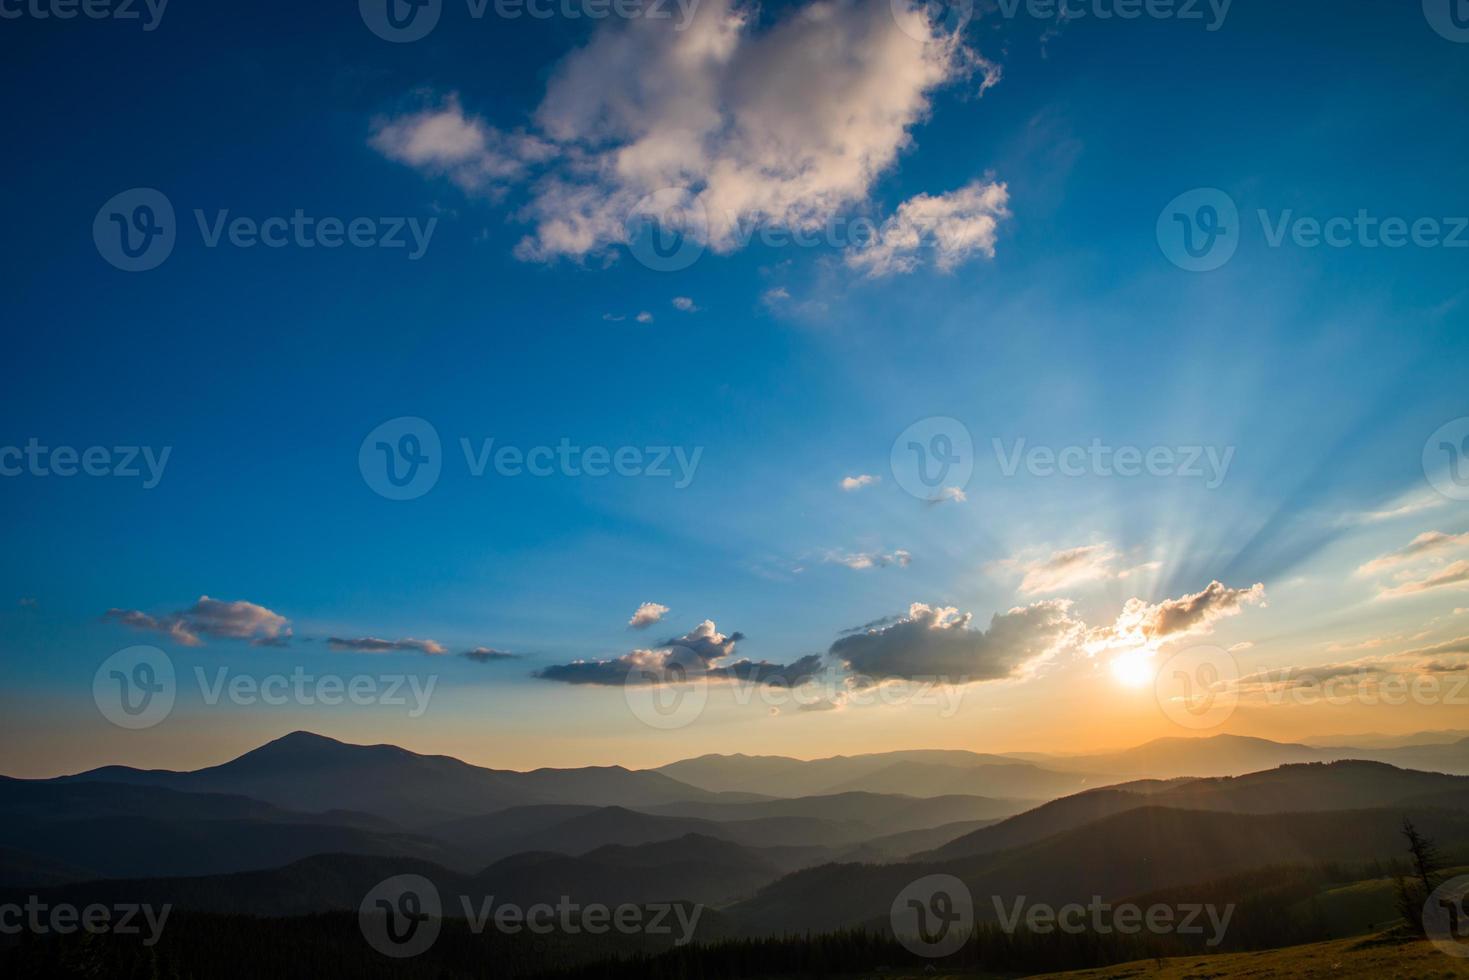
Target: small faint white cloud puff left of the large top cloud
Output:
[{"x": 441, "y": 140}]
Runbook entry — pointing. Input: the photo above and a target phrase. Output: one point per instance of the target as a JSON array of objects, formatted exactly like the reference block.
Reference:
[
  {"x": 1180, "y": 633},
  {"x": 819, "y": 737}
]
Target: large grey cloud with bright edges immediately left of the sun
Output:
[{"x": 941, "y": 643}]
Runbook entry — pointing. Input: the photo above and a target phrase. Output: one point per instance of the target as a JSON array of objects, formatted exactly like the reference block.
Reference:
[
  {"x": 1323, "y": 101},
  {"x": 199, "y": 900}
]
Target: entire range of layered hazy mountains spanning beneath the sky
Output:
[{"x": 309, "y": 824}]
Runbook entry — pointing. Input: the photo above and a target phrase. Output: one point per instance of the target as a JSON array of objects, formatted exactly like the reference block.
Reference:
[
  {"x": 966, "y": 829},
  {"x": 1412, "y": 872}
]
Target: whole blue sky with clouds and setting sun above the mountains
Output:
[{"x": 635, "y": 383}]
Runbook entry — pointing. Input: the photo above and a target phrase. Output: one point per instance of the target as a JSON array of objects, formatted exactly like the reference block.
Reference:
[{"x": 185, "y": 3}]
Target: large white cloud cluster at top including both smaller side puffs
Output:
[{"x": 704, "y": 120}]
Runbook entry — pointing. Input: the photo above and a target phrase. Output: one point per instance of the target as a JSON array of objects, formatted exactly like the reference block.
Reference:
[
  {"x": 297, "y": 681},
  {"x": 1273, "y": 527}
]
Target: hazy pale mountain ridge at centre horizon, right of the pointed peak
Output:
[{"x": 910, "y": 774}]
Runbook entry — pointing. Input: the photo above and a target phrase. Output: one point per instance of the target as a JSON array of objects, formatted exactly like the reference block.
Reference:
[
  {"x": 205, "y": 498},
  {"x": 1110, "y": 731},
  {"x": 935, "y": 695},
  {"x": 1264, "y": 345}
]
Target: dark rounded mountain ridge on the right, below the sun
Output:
[{"x": 1302, "y": 788}]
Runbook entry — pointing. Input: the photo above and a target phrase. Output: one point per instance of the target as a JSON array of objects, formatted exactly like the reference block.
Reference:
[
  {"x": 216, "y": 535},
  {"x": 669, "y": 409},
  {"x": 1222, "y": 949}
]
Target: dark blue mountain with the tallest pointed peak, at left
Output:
[{"x": 315, "y": 774}]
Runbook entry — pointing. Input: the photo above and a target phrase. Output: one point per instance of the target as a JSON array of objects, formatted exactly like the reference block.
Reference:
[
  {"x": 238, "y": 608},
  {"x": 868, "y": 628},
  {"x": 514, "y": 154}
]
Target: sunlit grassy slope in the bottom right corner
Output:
[{"x": 1376, "y": 957}]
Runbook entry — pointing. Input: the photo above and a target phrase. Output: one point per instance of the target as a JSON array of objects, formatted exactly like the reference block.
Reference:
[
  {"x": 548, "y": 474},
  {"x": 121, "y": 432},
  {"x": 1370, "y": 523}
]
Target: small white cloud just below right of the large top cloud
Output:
[{"x": 951, "y": 228}]
